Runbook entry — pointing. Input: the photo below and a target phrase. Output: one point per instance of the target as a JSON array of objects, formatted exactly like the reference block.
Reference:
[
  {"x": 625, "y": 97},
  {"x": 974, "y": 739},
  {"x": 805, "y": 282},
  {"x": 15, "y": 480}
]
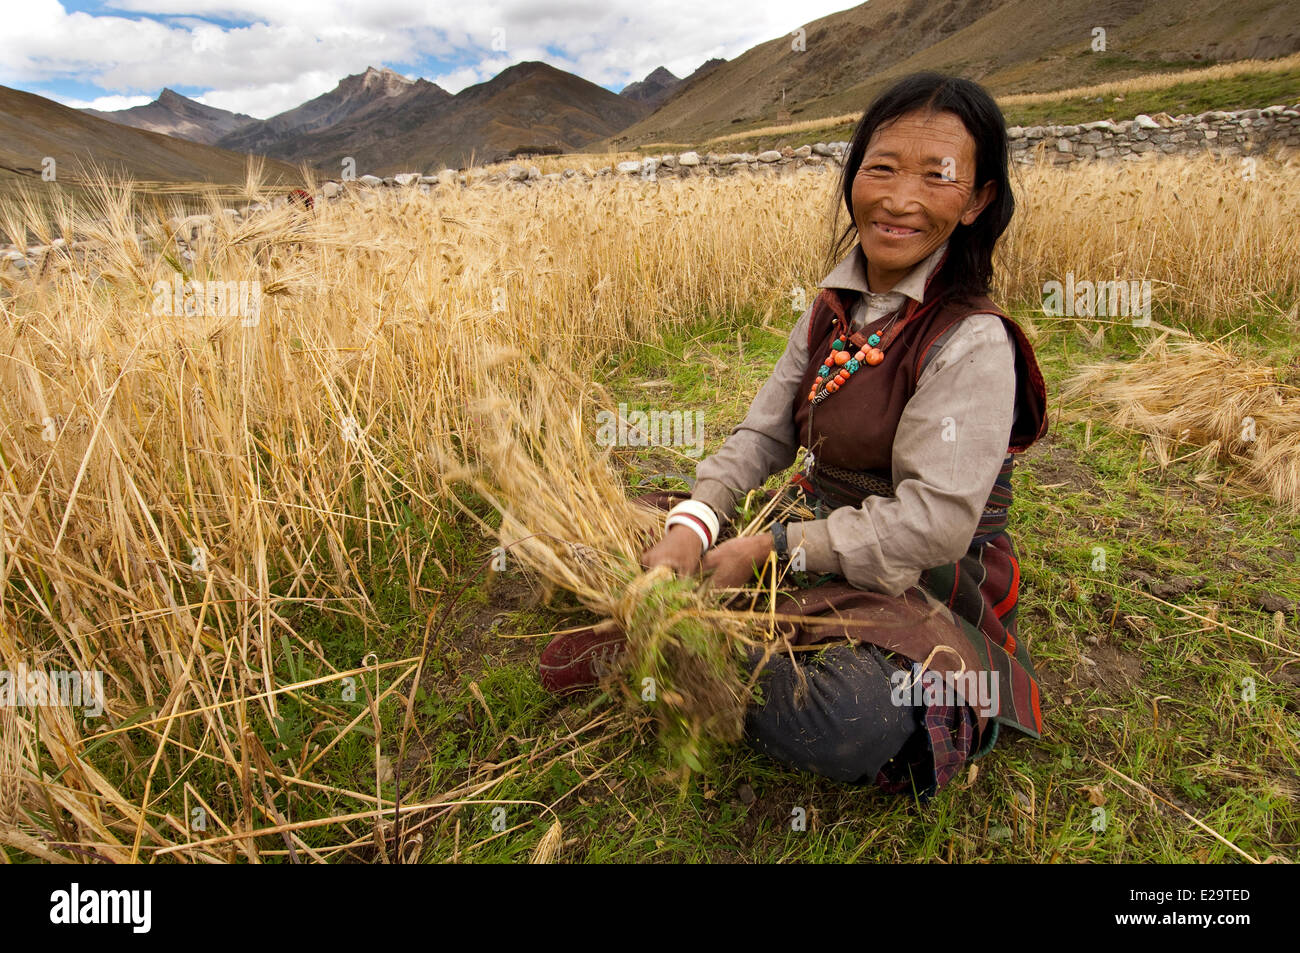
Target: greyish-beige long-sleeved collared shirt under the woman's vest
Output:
[{"x": 950, "y": 447}]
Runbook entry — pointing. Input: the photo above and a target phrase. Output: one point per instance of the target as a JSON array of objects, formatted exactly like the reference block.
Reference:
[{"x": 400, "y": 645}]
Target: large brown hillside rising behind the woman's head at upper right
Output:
[{"x": 840, "y": 62}]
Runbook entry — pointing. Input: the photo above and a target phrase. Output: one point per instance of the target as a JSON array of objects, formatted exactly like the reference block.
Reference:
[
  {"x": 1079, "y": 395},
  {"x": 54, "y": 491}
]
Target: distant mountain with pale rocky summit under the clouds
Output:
[{"x": 376, "y": 92}]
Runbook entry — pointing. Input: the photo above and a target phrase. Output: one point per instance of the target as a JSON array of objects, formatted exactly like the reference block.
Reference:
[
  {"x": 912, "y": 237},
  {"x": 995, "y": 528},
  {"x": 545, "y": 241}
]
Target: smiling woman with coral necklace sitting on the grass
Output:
[{"x": 908, "y": 570}]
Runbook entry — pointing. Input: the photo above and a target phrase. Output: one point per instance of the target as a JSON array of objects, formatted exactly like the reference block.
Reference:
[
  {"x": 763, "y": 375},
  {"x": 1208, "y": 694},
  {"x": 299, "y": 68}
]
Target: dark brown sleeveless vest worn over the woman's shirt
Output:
[{"x": 855, "y": 428}]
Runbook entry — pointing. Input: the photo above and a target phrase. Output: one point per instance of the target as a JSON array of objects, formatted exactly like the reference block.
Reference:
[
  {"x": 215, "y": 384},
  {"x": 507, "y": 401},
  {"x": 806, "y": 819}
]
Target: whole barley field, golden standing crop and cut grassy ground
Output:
[{"x": 315, "y": 547}]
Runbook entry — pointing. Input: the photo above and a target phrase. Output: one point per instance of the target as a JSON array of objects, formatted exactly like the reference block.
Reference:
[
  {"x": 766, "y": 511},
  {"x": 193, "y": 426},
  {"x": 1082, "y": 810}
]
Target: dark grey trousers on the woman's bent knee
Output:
[{"x": 839, "y": 724}]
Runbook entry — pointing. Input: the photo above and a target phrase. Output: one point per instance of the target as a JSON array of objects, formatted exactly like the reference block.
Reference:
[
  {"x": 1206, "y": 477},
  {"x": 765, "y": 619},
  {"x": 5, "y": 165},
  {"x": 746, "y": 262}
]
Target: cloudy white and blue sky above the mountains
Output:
[{"x": 265, "y": 57}]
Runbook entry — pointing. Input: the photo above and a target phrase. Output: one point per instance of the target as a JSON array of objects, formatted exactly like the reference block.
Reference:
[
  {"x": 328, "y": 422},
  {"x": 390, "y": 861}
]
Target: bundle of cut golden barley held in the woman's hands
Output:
[{"x": 566, "y": 516}]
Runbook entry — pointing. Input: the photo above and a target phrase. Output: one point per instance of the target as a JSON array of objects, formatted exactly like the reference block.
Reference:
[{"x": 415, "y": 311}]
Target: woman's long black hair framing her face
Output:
[{"x": 969, "y": 268}]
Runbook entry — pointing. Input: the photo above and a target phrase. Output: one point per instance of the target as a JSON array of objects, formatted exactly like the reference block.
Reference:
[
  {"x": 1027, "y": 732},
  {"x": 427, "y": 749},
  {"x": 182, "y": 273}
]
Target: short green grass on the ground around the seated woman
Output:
[{"x": 1129, "y": 683}]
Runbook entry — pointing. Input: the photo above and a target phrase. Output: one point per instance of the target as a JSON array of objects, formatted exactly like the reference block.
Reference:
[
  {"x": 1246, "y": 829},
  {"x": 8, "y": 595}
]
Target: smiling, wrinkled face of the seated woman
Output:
[{"x": 916, "y": 184}]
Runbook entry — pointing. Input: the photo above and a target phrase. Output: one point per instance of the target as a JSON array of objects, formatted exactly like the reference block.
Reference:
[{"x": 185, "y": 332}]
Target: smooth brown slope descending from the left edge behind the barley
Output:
[{"x": 34, "y": 128}]
